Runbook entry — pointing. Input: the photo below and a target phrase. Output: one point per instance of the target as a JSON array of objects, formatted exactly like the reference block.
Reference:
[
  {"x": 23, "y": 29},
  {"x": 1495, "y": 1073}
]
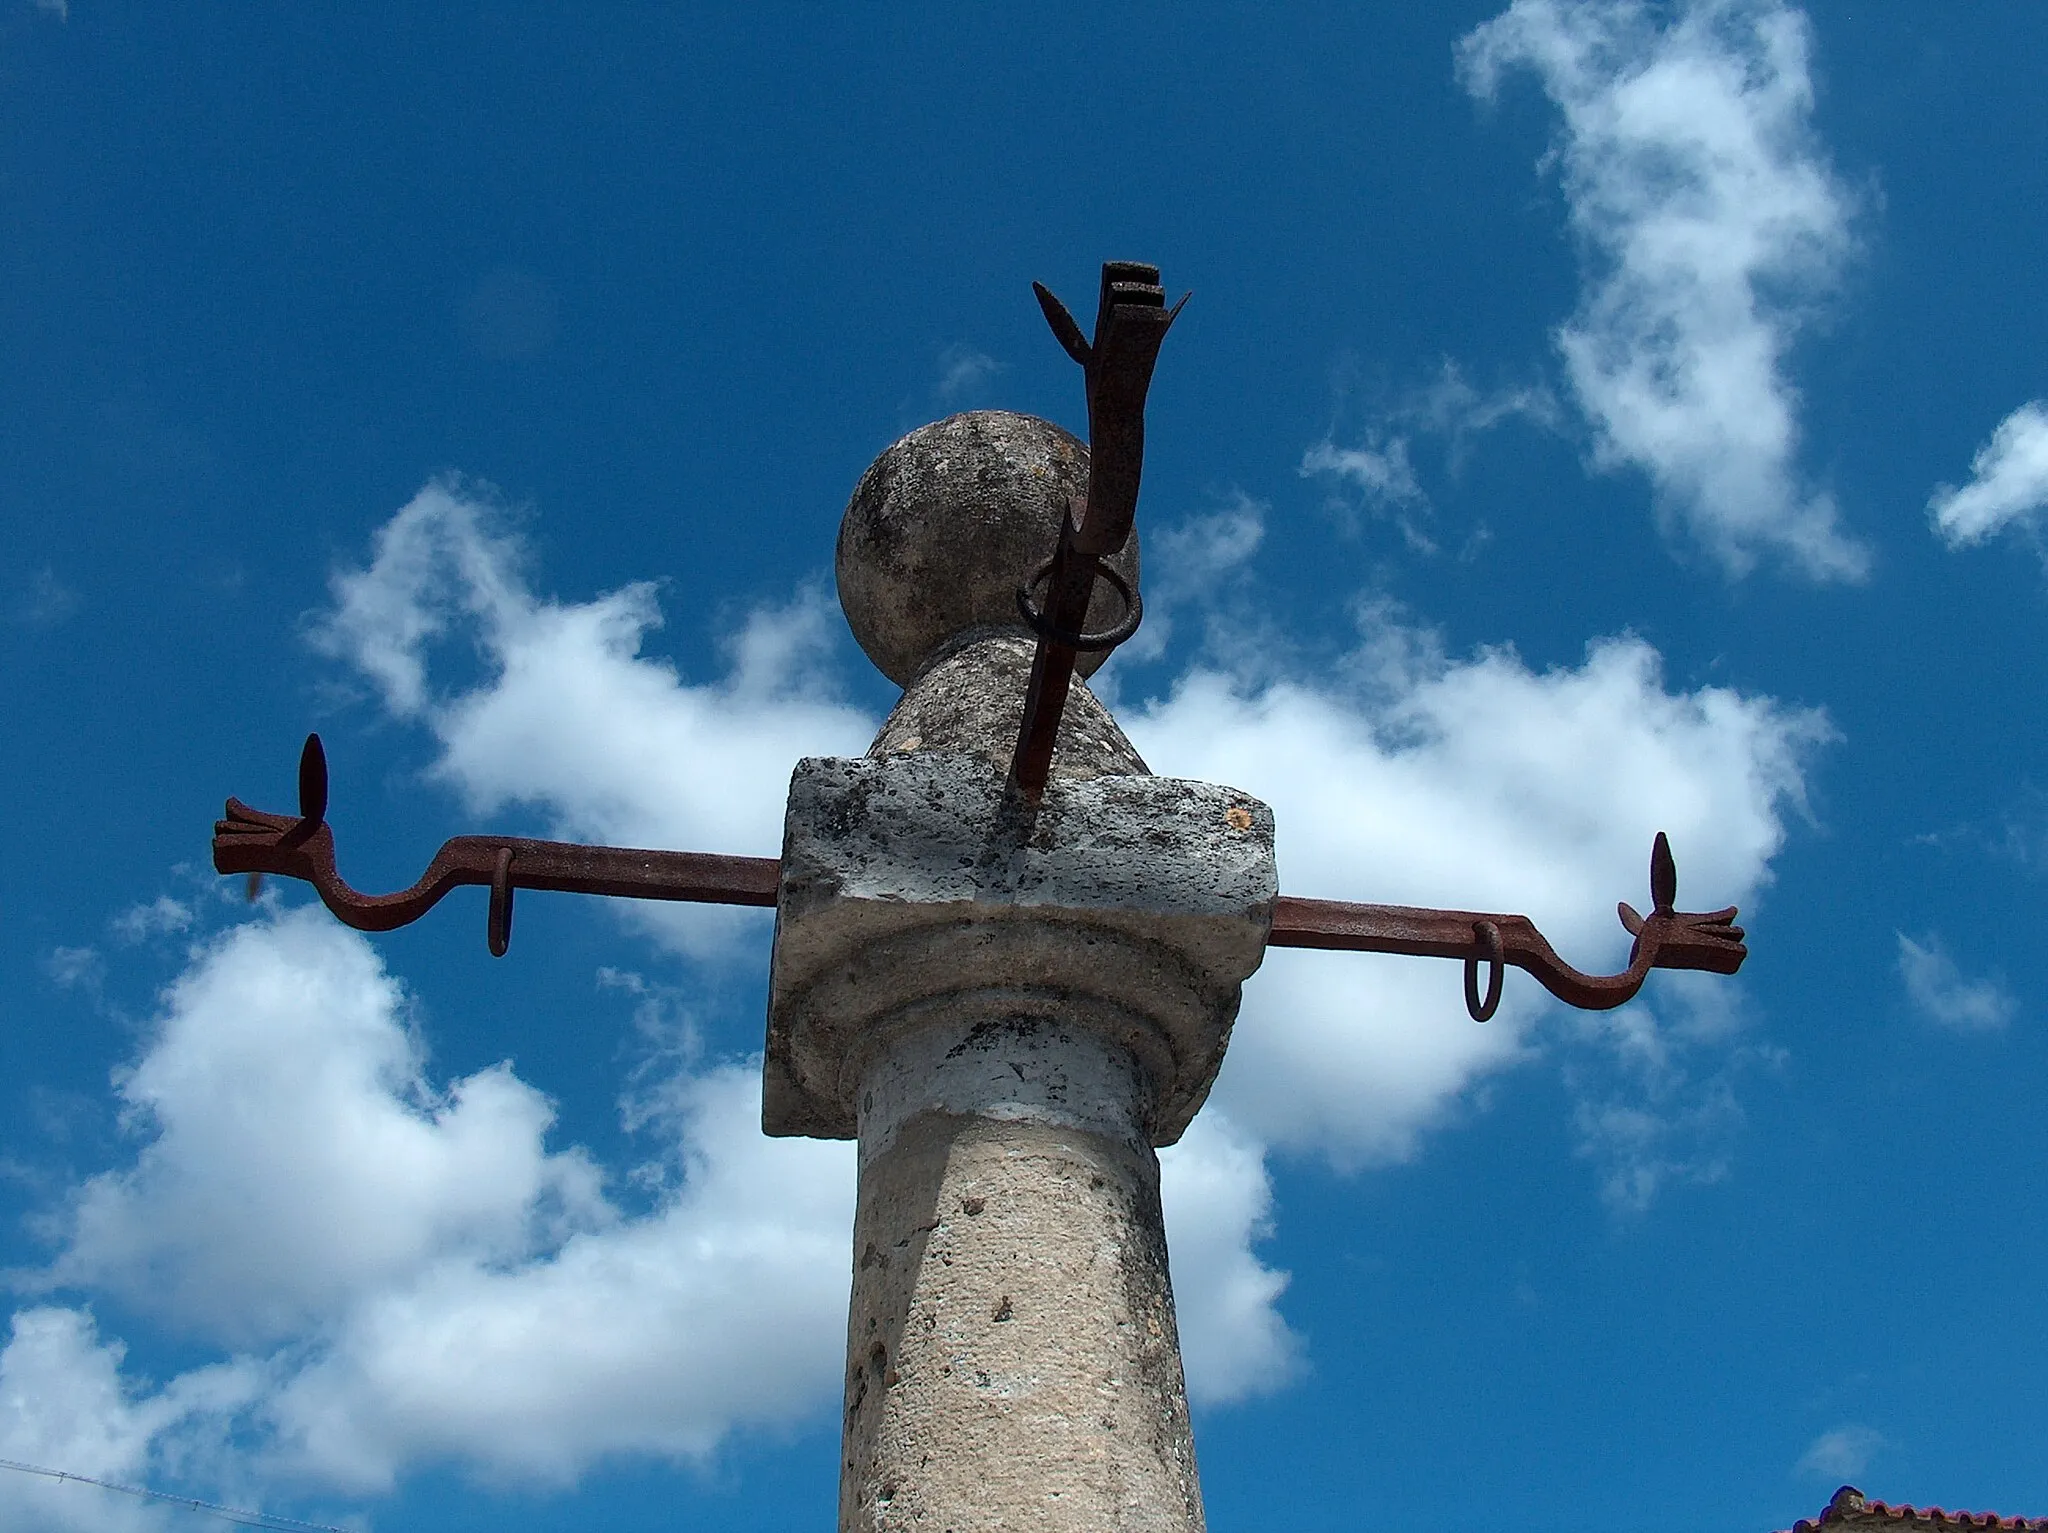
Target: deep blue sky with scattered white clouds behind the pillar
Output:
[{"x": 1590, "y": 421}]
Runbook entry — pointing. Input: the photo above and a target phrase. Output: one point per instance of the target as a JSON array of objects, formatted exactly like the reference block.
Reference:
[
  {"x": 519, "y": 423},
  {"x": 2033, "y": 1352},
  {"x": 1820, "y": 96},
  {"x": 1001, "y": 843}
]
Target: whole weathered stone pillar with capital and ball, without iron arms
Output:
[{"x": 1009, "y": 1008}]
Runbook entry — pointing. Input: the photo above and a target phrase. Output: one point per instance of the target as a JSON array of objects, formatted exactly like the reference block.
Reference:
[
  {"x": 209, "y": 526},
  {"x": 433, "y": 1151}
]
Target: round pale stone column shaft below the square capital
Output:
[{"x": 1013, "y": 1358}]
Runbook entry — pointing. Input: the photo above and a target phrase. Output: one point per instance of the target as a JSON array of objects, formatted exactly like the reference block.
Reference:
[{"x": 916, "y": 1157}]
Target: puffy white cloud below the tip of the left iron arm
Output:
[{"x": 298, "y": 1155}]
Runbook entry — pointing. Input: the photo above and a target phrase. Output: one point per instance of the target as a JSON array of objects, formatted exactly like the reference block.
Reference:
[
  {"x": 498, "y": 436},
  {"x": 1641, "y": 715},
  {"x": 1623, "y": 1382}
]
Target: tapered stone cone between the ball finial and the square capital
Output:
[{"x": 970, "y": 699}]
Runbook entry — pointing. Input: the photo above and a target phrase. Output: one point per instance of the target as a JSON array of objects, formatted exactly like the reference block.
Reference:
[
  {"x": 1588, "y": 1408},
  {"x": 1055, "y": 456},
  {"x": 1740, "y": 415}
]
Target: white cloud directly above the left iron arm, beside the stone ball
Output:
[{"x": 570, "y": 717}]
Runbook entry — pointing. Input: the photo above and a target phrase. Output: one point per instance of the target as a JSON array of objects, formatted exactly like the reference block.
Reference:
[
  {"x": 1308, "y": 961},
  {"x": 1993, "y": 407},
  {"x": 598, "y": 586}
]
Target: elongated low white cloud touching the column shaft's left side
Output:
[{"x": 660, "y": 1335}]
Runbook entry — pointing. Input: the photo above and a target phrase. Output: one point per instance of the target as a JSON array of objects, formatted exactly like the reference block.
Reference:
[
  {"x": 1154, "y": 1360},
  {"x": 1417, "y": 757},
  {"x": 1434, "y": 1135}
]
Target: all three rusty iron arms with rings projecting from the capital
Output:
[{"x": 1132, "y": 322}]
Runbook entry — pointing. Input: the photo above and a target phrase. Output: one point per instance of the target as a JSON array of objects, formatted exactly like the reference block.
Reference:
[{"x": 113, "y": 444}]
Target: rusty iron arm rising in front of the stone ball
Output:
[{"x": 1132, "y": 322}]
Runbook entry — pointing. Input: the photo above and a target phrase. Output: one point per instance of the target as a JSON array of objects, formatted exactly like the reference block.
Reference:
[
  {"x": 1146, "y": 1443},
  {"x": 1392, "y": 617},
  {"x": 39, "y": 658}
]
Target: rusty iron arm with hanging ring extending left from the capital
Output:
[{"x": 302, "y": 846}]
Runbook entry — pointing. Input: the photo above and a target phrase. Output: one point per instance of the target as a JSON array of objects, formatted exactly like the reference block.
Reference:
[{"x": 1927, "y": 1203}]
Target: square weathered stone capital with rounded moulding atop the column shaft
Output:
[{"x": 916, "y": 891}]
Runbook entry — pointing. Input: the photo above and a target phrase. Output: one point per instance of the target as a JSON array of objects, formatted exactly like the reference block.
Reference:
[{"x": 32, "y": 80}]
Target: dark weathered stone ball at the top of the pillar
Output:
[{"x": 947, "y": 523}]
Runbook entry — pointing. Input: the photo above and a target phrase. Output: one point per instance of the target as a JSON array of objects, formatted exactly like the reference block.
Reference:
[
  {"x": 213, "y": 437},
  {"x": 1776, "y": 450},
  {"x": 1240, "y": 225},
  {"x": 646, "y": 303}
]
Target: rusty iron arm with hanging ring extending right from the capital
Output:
[{"x": 1666, "y": 938}]
